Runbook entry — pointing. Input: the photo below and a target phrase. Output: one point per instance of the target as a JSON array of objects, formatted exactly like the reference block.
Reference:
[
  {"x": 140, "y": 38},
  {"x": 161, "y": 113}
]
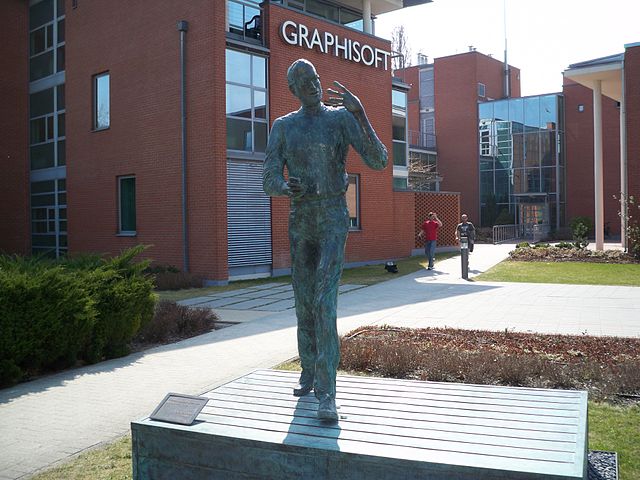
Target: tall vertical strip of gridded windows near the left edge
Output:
[{"x": 47, "y": 131}]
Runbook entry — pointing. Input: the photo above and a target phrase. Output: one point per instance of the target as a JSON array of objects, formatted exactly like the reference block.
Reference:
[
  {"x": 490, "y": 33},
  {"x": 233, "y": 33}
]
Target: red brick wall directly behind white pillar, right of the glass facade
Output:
[{"x": 579, "y": 155}]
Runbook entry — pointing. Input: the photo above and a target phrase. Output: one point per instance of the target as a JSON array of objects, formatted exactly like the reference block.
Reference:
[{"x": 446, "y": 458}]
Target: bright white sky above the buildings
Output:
[{"x": 543, "y": 36}]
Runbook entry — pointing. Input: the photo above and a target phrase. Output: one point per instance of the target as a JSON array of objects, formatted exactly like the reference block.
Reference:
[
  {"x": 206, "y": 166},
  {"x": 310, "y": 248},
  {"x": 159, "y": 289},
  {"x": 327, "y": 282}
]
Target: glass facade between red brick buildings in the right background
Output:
[{"x": 521, "y": 161}]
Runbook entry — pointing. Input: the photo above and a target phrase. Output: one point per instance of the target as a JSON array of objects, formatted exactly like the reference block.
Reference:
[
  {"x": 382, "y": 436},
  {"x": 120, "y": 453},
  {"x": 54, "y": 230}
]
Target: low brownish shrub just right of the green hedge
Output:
[{"x": 171, "y": 321}]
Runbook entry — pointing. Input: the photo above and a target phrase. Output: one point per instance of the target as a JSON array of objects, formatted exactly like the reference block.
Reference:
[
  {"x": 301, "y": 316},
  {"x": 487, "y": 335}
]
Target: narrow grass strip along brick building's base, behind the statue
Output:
[{"x": 368, "y": 275}]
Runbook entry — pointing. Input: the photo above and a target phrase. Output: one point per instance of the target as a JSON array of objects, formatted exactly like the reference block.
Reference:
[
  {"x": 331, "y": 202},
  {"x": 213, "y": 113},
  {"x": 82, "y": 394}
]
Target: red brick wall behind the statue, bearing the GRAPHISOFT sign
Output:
[{"x": 381, "y": 210}]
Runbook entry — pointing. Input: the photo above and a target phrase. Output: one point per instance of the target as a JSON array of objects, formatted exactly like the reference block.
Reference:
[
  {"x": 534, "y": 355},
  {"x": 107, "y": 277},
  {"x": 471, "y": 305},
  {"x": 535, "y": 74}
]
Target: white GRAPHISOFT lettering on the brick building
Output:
[{"x": 325, "y": 42}]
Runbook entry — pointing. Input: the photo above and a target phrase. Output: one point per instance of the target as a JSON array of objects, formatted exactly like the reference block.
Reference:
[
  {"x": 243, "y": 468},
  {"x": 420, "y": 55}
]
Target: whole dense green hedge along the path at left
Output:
[{"x": 53, "y": 314}]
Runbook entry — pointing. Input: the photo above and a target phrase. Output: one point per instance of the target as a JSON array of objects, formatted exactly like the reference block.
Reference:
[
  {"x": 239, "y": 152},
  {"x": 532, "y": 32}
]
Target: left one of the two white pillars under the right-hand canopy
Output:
[{"x": 597, "y": 164}]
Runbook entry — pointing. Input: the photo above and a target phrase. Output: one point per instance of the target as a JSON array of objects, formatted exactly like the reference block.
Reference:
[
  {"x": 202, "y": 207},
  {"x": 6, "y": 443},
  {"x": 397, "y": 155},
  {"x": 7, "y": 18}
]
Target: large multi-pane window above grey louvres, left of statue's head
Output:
[{"x": 246, "y": 97}]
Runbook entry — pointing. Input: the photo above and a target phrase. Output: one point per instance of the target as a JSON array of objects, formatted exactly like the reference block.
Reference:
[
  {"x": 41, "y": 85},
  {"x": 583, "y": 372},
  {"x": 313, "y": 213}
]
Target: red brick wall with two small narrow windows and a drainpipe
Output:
[{"x": 140, "y": 47}]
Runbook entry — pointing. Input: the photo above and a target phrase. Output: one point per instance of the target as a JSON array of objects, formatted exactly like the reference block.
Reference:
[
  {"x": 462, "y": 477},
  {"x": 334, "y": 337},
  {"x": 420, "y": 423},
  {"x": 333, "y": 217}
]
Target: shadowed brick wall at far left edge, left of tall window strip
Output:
[{"x": 14, "y": 123}]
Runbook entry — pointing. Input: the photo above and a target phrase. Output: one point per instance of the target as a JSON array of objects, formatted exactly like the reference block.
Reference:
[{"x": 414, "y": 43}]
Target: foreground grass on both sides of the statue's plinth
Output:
[{"x": 611, "y": 428}]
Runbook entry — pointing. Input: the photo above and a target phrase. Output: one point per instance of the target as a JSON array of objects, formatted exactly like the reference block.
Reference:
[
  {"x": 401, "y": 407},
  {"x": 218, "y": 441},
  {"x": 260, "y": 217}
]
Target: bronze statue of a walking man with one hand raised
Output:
[{"x": 312, "y": 143}]
